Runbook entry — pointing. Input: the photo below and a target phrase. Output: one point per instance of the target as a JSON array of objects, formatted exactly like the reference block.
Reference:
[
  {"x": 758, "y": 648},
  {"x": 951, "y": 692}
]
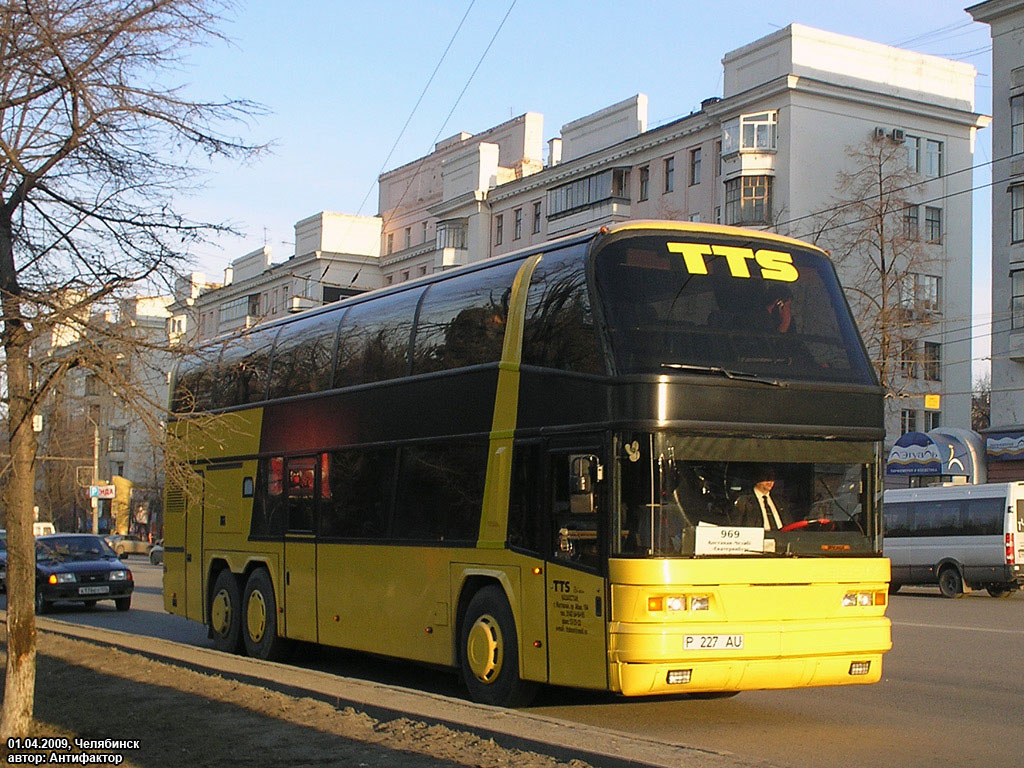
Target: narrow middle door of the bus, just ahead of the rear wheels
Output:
[{"x": 302, "y": 487}]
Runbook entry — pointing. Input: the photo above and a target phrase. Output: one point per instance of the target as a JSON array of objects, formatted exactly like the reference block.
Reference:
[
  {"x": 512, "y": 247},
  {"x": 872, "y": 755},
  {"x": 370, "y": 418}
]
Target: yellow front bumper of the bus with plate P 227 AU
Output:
[{"x": 649, "y": 661}]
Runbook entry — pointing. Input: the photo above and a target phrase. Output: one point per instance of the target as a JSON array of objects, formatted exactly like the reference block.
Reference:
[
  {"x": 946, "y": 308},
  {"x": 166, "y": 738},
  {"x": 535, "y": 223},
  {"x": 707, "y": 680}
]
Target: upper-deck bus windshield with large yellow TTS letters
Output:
[{"x": 716, "y": 304}]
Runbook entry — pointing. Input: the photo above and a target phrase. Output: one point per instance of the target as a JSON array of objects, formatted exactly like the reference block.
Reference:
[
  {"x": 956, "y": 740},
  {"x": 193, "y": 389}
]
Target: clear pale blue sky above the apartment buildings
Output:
[{"x": 340, "y": 82}]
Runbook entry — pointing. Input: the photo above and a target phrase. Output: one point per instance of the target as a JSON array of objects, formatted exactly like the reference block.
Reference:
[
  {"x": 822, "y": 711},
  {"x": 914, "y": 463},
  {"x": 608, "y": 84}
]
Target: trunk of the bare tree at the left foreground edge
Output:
[{"x": 20, "y": 687}]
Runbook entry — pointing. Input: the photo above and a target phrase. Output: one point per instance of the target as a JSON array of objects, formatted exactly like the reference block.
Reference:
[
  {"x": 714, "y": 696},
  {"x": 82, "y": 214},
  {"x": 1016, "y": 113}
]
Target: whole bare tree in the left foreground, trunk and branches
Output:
[{"x": 95, "y": 148}]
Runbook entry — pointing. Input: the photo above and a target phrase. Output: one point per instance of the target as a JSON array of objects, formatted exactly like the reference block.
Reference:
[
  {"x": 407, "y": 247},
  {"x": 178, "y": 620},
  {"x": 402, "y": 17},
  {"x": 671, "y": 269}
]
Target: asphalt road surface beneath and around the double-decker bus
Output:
[{"x": 952, "y": 695}]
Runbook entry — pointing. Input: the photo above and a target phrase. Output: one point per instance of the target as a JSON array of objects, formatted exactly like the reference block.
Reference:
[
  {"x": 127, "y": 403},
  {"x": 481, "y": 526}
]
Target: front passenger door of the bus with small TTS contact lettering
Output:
[{"x": 577, "y": 603}]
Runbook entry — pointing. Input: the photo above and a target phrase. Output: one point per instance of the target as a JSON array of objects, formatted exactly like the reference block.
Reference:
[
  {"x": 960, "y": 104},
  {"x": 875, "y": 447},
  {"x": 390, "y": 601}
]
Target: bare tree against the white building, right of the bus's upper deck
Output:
[{"x": 882, "y": 251}]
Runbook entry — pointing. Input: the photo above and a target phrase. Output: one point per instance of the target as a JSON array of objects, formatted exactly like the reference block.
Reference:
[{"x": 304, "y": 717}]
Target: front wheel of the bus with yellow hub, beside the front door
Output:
[{"x": 489, "y": 652}]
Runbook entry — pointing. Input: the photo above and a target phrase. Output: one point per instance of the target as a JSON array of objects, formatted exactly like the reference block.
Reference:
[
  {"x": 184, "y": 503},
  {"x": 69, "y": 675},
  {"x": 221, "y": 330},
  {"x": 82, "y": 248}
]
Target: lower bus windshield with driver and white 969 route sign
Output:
[{"x": 675, "y": 504}]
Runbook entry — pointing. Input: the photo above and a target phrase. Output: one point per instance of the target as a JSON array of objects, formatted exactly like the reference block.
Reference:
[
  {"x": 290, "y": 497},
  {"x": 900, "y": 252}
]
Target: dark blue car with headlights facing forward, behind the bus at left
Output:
[{"x": 80, "y": 568}]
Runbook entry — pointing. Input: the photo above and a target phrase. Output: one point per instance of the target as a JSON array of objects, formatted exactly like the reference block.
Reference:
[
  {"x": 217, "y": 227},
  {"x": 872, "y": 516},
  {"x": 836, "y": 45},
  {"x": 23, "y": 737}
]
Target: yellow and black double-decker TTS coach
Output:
[{"x": 539, "y": 470}]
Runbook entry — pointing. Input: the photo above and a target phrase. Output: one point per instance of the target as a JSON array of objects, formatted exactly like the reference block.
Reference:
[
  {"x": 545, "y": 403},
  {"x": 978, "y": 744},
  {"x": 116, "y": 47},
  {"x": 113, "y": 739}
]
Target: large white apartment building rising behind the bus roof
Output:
[{"x": 766, "y": 154}]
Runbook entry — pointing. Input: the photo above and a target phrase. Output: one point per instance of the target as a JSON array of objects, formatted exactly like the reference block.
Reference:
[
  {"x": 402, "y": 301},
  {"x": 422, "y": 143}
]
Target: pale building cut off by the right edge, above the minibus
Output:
[{"x": 1006, "y": 437}]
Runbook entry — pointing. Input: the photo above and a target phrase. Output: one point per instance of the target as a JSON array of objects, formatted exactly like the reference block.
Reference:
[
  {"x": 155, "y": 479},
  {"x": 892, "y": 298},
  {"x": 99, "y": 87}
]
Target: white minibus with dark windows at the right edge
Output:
[{"x": 957, "y": 537}]
